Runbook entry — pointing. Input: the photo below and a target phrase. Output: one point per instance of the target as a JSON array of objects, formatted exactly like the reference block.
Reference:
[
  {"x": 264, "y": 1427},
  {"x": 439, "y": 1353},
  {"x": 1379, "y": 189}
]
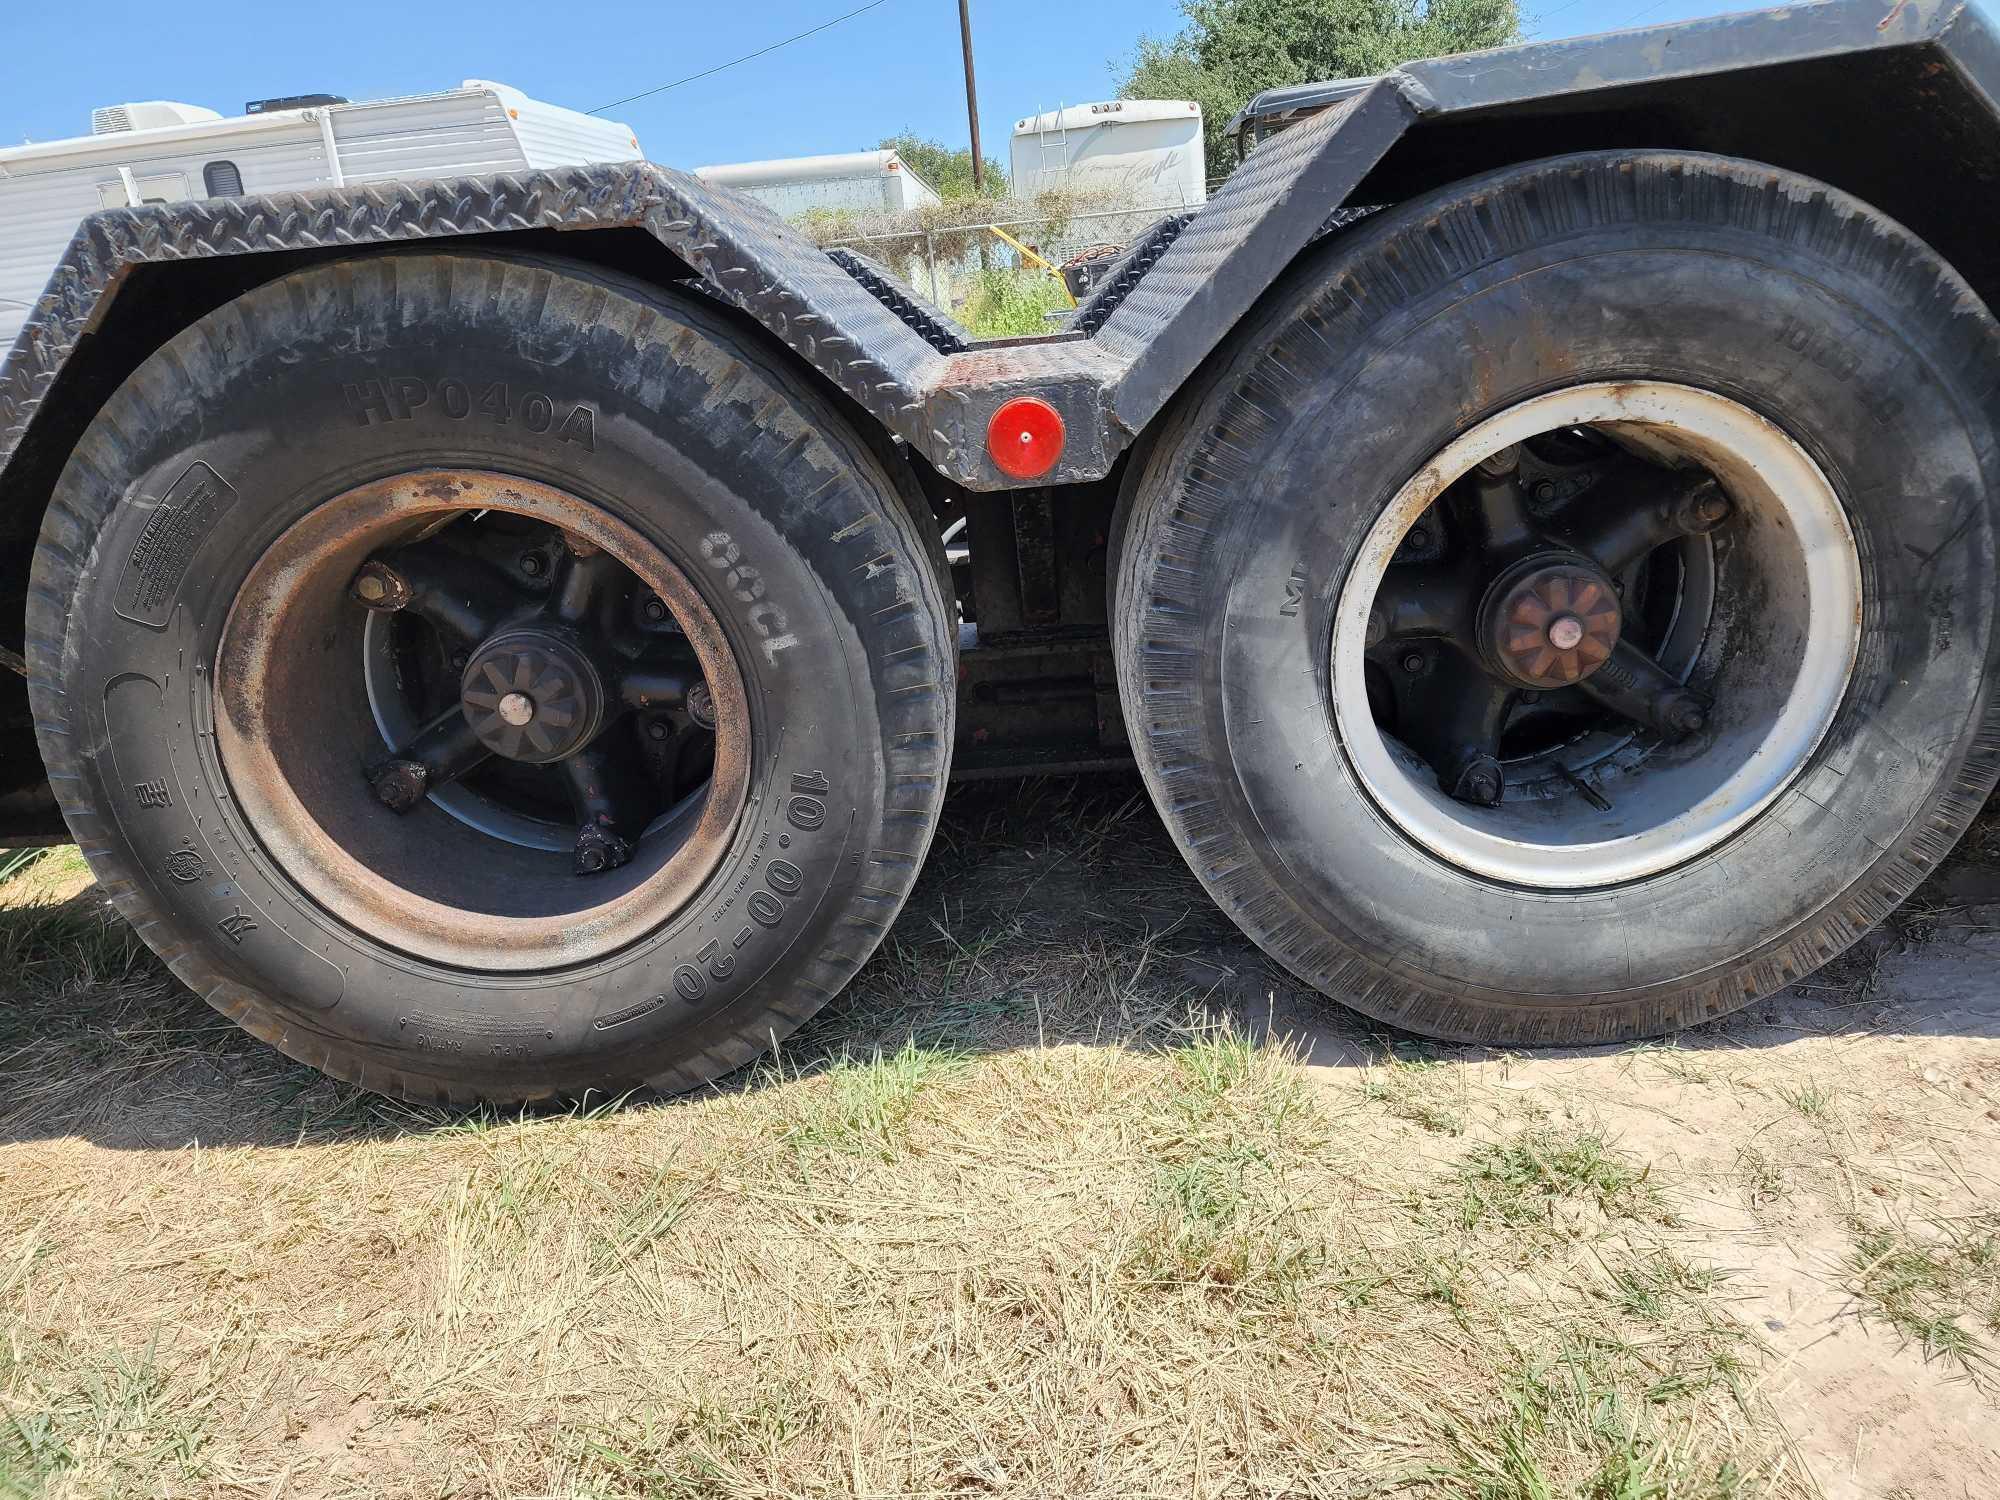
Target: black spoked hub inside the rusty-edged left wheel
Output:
[{"x": 537, "y": 671}]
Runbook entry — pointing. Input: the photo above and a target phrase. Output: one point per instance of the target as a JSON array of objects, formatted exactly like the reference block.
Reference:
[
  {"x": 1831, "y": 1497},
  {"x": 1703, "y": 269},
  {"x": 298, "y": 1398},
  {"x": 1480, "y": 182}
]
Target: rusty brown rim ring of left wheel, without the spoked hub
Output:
[{"x": 275, "y": 653}]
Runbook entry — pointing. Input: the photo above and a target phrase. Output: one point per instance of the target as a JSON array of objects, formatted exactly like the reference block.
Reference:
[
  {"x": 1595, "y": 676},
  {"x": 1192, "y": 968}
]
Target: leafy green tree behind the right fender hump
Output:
[{"x": 1233, "y": 49}]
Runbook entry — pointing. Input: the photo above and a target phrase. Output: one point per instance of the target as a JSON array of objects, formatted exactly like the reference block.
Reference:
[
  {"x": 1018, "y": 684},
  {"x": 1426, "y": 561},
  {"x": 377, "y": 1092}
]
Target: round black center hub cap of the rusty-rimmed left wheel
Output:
[{"x": 531, "y": 695}]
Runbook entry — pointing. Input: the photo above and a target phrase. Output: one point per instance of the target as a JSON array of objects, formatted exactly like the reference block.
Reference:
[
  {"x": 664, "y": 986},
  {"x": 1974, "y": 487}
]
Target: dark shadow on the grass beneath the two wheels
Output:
[{"x": 1051, "y": 913}]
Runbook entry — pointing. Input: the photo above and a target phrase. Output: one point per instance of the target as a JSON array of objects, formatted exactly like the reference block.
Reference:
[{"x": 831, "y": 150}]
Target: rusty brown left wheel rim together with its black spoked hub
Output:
[{"x": 555, "y": 707}]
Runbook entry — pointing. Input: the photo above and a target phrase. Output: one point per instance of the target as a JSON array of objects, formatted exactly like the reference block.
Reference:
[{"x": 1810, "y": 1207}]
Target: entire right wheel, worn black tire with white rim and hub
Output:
[{"x": 1567, "y": 613}]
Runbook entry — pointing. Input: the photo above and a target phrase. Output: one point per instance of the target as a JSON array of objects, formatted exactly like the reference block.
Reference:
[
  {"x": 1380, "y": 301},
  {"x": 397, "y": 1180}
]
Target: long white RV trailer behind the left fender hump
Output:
[{"x": 169, "y": 153}]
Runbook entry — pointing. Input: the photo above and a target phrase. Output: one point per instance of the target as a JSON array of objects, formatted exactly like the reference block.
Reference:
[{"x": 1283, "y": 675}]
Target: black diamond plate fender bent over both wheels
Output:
[{"x": 899, "y": 361}]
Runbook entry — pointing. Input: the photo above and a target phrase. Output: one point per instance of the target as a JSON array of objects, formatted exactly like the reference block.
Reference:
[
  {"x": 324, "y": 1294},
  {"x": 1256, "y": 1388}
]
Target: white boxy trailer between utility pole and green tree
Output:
[{"x": 1147, "y": 153}]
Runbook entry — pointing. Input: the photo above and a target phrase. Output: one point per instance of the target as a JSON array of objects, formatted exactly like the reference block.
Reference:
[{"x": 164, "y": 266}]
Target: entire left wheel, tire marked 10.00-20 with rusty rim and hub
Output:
[{"x": 489, "y": 679}]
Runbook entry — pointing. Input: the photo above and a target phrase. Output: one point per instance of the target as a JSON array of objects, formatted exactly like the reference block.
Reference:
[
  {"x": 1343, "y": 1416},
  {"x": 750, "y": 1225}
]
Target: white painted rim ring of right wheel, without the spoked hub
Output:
[{"x": 1791, "y": 513}]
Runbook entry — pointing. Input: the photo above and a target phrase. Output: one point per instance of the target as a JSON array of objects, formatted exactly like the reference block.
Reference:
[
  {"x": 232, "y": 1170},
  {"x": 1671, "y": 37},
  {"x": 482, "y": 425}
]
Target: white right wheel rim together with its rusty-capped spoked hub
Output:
[{"x": 1679, "y": 635}]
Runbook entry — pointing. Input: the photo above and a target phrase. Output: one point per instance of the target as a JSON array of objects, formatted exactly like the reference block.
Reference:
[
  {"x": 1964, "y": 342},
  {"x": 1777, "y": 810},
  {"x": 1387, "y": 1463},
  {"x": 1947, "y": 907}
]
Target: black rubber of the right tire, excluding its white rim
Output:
[{"x": 1377, "y": 351}]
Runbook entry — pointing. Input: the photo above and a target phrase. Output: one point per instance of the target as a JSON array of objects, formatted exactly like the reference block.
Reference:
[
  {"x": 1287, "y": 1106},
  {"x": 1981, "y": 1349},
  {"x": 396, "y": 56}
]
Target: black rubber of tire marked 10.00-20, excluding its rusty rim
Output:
[{"x": 697, "y": 425}]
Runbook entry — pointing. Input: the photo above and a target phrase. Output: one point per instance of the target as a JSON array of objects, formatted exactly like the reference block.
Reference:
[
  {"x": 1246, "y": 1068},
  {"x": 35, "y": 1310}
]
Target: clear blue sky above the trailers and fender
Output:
[{"x": 839, "y": 91}]
